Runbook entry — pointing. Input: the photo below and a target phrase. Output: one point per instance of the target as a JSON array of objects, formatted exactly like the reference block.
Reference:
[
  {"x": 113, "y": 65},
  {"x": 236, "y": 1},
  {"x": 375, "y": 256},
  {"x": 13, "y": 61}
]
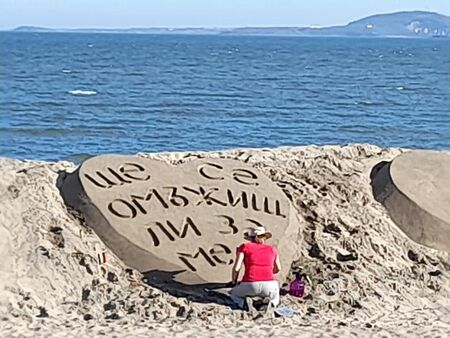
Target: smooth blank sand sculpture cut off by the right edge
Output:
[{"x": 415, "y": 188}]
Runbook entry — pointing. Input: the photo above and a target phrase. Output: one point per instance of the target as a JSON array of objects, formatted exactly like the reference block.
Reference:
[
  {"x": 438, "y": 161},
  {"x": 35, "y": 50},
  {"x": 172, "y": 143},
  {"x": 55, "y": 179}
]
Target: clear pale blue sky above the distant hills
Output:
[{"x": 196, "y": 13}]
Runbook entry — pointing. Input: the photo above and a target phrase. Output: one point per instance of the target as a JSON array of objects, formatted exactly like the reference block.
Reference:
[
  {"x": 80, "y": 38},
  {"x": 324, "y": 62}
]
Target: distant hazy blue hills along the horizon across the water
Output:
[{"x": 401, "y": 24}]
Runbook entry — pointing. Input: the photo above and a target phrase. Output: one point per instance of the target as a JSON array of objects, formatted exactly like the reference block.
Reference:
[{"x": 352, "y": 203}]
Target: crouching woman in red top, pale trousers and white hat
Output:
[{"x": 261, "y": 262}]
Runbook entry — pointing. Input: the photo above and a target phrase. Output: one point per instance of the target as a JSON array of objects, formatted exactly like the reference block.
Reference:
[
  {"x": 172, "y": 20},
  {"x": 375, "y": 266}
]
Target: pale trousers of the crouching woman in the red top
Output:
[{"x": 269, "y": 289}]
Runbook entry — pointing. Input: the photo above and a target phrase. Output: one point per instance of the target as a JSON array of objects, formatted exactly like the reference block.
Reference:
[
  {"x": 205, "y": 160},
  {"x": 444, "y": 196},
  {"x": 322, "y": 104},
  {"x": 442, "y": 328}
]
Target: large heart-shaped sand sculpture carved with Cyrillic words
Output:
[{"x": 182, "y": 222}]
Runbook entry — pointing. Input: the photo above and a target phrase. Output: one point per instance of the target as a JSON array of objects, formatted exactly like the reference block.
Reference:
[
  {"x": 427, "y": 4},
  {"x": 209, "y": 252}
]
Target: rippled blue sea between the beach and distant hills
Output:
[{"x": 68, "y": 96}]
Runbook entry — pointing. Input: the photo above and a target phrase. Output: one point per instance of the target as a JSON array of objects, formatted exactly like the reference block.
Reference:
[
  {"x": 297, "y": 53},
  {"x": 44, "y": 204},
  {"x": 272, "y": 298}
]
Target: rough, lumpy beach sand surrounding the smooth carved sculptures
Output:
[{"x": 366, "y": 273}]
